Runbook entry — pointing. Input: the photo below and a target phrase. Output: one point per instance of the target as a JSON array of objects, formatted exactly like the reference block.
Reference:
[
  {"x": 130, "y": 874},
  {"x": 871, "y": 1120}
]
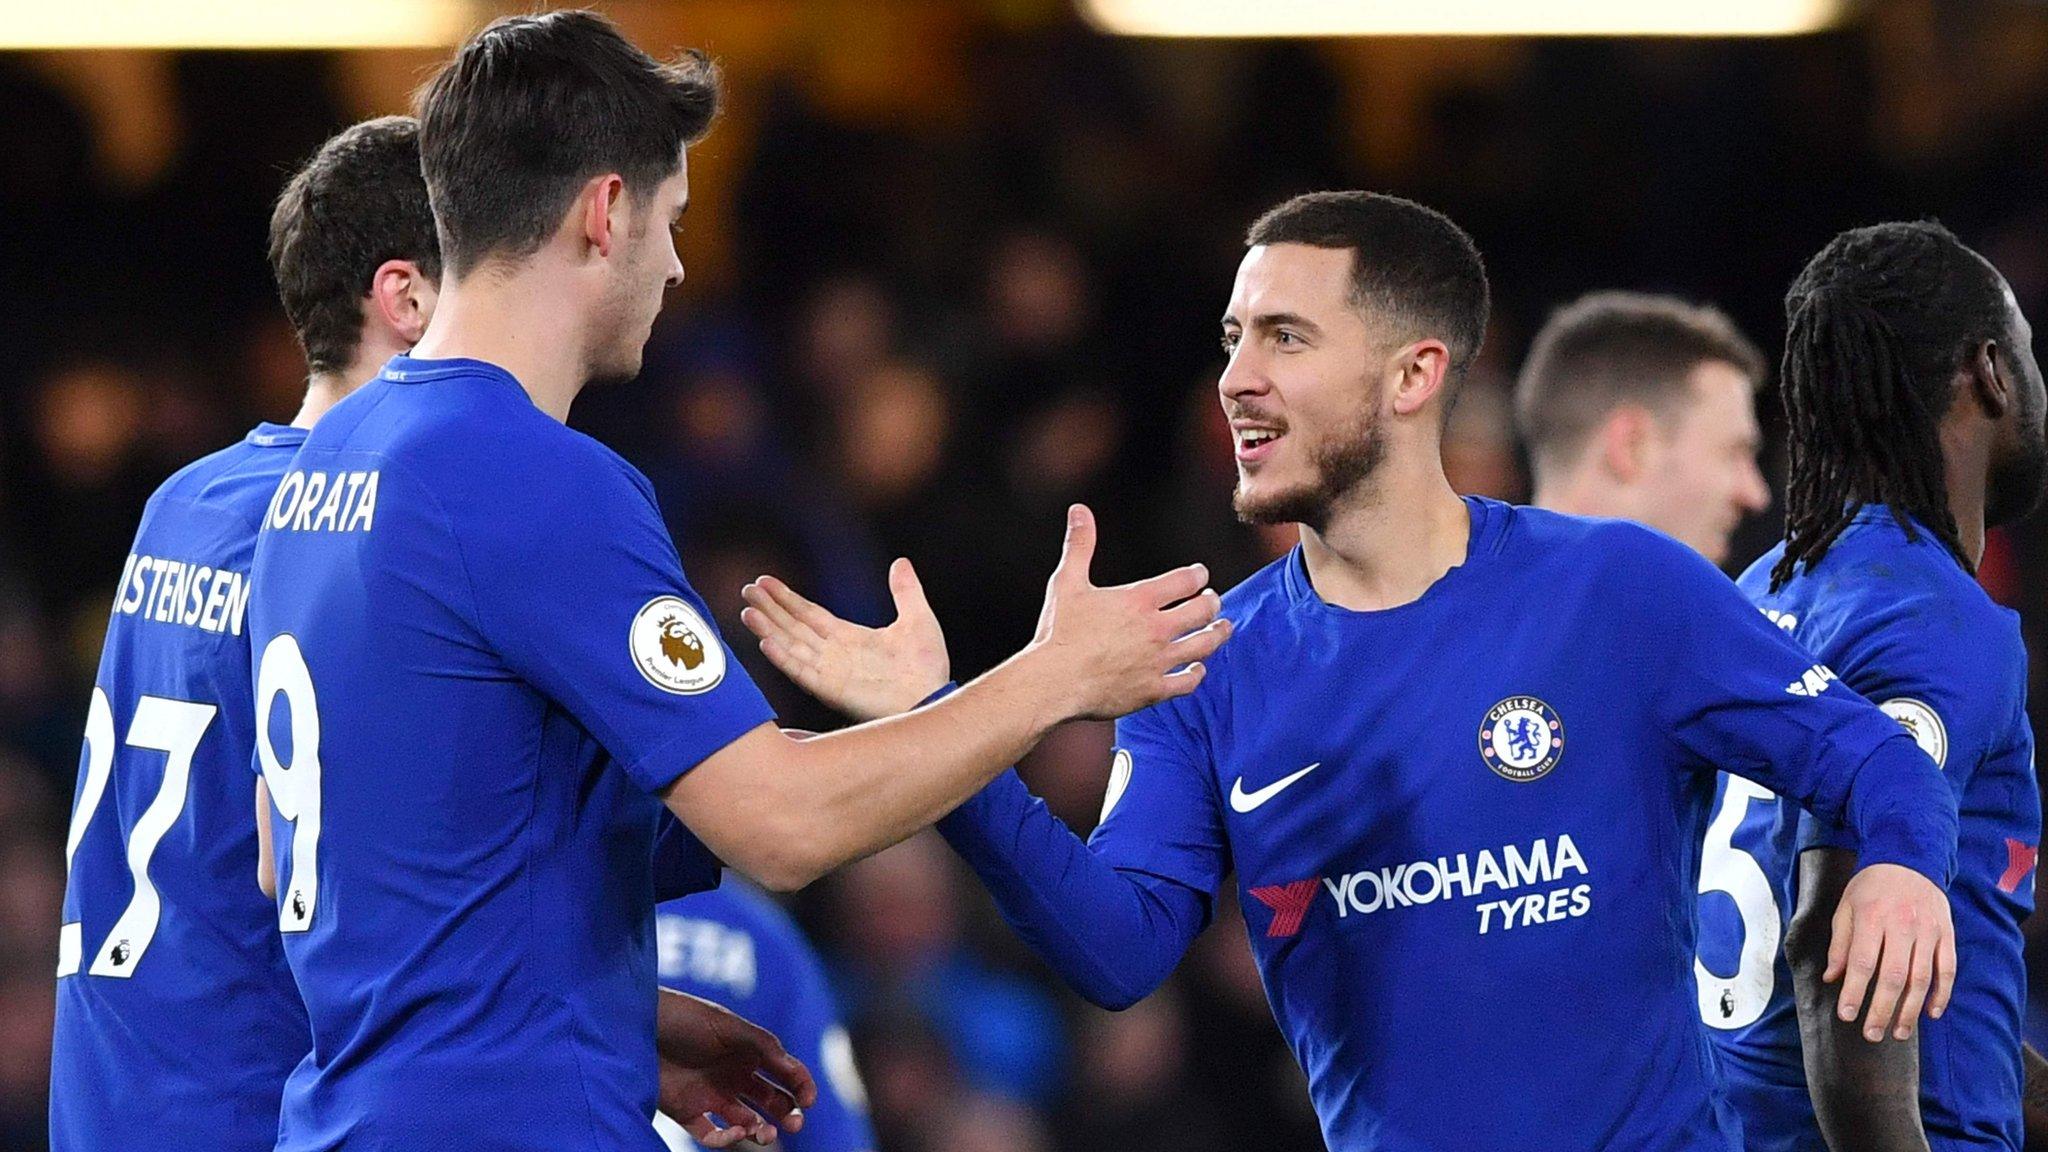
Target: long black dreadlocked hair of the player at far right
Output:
[{"x": 1877, "y": 327}]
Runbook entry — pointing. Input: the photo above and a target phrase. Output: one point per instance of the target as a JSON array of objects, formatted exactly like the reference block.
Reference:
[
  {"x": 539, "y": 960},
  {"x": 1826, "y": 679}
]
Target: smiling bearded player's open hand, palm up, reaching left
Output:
[{"x": 863, "y": 671}]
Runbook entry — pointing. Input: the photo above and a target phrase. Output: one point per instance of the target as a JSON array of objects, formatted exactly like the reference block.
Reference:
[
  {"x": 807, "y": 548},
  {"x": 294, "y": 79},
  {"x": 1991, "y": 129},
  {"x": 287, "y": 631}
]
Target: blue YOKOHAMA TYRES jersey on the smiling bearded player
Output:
[{"x": 1467, "y": 829}]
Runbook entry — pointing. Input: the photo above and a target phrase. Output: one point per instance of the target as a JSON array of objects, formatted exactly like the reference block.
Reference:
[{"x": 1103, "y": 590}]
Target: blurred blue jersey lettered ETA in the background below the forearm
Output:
[{"x": 738, "y": 948}]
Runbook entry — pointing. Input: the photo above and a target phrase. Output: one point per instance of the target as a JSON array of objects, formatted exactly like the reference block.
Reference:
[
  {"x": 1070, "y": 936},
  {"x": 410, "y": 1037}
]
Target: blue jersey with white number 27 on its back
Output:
[{"x": 177, "y": 1018}]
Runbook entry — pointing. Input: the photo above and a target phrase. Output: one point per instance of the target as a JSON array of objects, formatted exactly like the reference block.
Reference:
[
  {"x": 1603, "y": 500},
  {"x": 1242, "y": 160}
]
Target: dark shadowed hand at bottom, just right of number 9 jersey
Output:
[{"x": 720, "y": 1065}]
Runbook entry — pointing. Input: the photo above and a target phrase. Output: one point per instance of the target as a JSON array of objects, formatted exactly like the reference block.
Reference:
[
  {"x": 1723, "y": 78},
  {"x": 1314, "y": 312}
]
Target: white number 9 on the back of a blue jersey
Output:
[{"x": 296, "y": 786}]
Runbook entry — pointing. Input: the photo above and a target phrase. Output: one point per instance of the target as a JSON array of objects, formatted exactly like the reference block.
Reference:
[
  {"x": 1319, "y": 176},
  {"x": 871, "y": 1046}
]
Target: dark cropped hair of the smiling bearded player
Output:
[{"x": 1410, "y": 263}]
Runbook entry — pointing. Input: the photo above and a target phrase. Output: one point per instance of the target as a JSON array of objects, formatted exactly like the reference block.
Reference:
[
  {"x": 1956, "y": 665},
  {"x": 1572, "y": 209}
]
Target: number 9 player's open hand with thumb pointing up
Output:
[{"x": 1129, "y": 647}]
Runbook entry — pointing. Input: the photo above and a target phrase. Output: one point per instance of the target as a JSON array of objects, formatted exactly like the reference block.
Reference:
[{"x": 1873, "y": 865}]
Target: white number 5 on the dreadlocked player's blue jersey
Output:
[{"x": 1734, "y": 1003}]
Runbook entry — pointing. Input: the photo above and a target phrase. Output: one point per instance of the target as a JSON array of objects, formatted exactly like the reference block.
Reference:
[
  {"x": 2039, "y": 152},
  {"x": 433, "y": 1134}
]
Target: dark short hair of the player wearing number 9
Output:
[{"x": 531, "y": 110}]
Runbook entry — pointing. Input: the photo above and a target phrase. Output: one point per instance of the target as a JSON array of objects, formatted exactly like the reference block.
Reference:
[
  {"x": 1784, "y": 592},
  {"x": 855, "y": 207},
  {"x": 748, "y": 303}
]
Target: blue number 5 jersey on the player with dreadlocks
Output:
[{"x": 1906, "y": 626}]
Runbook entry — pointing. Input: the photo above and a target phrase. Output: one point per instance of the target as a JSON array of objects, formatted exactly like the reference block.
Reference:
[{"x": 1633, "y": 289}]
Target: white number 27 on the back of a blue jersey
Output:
[{"x": 167, "y": 727}]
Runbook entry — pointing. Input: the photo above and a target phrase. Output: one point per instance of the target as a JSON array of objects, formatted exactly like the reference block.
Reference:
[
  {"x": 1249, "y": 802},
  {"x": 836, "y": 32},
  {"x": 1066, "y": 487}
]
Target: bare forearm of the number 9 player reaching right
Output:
[{"x": 810, "y": 807}]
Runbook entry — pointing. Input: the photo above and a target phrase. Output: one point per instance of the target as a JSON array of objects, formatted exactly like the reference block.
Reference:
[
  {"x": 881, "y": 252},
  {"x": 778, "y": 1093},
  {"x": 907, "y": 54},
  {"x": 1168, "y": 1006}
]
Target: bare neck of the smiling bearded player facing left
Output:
[{"x": 1388, "y": 546}]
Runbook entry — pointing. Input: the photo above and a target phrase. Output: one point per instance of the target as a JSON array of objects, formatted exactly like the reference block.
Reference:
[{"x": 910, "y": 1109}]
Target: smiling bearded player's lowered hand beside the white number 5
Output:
[{"x": 1893, "y": 940}]
